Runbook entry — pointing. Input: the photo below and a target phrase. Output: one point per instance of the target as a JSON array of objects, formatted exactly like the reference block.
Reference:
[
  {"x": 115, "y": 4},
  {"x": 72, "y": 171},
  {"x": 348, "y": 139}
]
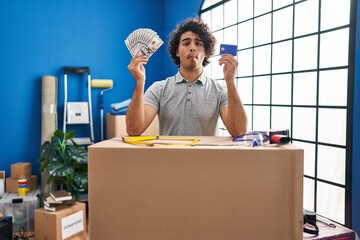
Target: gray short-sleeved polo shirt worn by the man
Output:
[{"x": 187, "y": 109}]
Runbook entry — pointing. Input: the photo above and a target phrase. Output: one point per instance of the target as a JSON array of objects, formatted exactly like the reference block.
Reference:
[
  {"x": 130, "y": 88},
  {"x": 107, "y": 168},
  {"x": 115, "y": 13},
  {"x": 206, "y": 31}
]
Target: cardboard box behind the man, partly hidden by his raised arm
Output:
[{"x": 116, "y": 126}]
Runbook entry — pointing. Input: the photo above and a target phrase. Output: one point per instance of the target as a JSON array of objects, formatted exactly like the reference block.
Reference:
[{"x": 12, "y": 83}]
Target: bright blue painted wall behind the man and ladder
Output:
[{"x": 40, "y": 37}]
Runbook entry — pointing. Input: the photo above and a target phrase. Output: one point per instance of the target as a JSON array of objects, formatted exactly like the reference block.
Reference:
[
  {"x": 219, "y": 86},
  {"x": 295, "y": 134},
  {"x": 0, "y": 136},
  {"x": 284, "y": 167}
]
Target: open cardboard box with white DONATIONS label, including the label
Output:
[{"x": 63, "y": 224}]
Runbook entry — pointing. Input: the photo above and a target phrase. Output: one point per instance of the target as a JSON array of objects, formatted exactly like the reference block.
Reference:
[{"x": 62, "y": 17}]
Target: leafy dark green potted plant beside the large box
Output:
[{"x": 66, "y": 162}]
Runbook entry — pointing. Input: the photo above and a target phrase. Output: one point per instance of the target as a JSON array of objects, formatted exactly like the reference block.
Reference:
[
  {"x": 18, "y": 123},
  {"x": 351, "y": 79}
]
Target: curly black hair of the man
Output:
[{"x": 195, "y": 25}]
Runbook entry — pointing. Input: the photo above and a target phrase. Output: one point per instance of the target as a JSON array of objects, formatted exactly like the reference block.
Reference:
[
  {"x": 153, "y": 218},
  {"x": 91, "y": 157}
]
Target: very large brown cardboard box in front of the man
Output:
[{"x": 195, "y": 192}]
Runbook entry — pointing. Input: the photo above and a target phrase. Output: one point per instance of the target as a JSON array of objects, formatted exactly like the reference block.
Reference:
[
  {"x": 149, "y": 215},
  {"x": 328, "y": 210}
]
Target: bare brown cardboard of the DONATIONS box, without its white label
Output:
[{"x": 48, "y": 224}]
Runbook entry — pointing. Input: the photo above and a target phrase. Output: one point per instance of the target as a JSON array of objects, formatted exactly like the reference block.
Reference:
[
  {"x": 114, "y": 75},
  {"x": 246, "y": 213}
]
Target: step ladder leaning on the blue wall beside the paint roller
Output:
[{"x": 78, "y": 113}]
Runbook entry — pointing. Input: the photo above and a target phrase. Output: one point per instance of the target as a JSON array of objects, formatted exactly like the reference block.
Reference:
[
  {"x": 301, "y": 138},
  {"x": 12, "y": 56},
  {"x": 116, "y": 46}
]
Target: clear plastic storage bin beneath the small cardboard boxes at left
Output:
[{"x": 21, "y": 209}]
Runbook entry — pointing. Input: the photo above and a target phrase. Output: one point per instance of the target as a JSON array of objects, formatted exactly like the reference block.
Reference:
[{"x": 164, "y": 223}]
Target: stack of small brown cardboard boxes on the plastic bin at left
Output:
[{"x": 20, "y": 170}]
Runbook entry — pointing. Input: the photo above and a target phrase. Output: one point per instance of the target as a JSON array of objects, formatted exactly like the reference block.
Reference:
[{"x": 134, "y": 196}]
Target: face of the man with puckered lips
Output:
[{"x": 191, "y": 51}]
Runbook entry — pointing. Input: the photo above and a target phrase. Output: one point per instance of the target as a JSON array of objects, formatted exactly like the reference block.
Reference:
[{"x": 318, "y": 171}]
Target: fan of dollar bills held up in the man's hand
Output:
[{"x": 143, "y": 41}]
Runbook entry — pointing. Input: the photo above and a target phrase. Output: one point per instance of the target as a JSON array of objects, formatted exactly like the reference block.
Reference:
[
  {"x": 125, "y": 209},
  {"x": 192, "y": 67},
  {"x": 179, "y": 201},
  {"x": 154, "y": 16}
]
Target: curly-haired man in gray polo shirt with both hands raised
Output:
[{"x": 189, "y": 103}]
